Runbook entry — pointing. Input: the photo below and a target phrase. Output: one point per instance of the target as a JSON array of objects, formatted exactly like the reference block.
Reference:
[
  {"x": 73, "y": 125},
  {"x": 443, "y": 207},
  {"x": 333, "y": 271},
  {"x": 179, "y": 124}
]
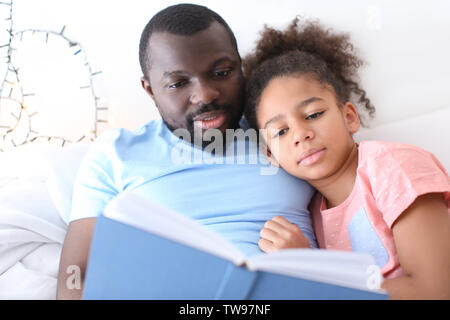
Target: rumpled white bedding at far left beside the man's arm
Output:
[{"x": 35, "y": 195}]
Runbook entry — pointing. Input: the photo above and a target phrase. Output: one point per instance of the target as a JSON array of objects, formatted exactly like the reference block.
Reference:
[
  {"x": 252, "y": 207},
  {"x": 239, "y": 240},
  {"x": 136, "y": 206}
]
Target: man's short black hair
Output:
[{"x": 181, "y": 19}]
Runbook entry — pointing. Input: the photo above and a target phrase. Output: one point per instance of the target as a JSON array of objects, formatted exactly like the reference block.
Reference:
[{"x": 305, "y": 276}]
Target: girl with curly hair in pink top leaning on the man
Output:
[{"x": 387, "y": 199}]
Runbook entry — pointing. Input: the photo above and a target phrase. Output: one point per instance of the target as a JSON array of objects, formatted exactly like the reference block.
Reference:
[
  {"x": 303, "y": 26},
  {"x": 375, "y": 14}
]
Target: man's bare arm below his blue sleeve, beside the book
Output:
[{"x": 74, "y": 257}]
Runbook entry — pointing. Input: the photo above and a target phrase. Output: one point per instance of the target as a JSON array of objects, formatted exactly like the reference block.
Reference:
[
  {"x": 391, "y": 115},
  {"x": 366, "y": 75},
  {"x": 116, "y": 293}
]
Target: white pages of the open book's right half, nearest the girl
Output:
[{"x": 347, "y": 269}]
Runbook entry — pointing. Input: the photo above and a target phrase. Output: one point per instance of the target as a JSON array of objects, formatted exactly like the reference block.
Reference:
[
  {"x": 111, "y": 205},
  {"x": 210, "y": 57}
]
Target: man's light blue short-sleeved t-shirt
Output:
[{"x": 233, "y": 192}]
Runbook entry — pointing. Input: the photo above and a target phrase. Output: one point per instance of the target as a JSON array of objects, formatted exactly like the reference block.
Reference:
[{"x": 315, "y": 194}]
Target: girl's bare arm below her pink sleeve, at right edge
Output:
[{"x": 422, "y": 238}]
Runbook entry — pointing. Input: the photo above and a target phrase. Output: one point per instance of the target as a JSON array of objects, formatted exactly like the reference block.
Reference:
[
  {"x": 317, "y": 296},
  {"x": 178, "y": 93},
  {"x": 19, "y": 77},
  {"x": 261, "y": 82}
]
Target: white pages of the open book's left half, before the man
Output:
[{"x": 144, "y": 214}]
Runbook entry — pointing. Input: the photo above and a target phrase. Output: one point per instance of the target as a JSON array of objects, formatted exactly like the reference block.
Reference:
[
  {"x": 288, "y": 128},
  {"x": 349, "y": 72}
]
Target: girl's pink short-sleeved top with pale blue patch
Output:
[{"x": 390, "y": 176}]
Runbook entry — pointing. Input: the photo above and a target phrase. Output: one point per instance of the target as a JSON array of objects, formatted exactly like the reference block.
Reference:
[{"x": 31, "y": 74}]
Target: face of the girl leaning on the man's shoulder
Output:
[{"x": 308, "y": 134}]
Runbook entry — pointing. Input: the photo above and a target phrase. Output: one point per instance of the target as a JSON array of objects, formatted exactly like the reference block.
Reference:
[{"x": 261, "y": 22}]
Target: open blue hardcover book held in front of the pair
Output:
[{"x": 141, "y": 250}]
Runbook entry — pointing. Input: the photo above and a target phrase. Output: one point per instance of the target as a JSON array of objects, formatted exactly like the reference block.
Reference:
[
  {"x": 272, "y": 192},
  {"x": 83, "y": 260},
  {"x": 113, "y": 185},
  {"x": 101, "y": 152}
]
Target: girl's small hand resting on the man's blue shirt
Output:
[{"x": 279, "y": 233}]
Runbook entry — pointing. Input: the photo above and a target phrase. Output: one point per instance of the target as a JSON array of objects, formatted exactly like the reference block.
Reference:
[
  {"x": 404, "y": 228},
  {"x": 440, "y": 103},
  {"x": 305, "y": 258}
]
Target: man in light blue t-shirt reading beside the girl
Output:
[{"x": 192, "y": 71}]
